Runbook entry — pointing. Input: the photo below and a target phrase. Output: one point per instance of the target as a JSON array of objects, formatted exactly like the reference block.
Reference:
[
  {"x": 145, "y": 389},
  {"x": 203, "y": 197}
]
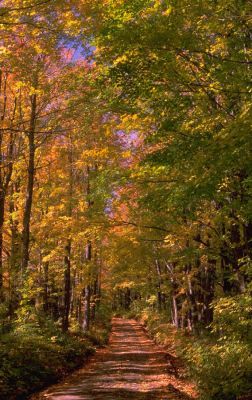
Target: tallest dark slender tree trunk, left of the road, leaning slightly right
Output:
[{"x": 30, "y": 185}]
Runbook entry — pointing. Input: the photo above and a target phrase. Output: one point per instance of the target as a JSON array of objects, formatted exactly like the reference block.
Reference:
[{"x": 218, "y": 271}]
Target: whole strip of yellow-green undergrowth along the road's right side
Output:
[{"x": 219, "y": 359}]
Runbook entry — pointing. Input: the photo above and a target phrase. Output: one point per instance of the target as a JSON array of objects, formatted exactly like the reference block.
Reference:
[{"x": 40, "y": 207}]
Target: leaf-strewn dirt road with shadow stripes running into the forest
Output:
[{"x": 132, "y": 366}]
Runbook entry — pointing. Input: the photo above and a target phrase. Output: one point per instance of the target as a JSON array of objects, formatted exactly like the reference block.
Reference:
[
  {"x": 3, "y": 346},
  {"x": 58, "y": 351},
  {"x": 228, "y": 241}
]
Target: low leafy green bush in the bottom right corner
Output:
[{"x": 222, "y": 371}]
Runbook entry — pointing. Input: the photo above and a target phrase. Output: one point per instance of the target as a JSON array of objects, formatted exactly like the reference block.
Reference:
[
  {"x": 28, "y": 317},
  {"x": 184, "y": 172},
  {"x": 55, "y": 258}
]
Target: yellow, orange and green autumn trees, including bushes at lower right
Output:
[{"x": 125, "y": 172}]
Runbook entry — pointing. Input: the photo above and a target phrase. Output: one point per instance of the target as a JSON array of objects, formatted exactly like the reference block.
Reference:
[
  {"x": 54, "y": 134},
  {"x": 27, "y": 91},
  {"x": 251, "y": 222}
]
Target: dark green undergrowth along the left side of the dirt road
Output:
[{"x": 34, "y": 355}]
